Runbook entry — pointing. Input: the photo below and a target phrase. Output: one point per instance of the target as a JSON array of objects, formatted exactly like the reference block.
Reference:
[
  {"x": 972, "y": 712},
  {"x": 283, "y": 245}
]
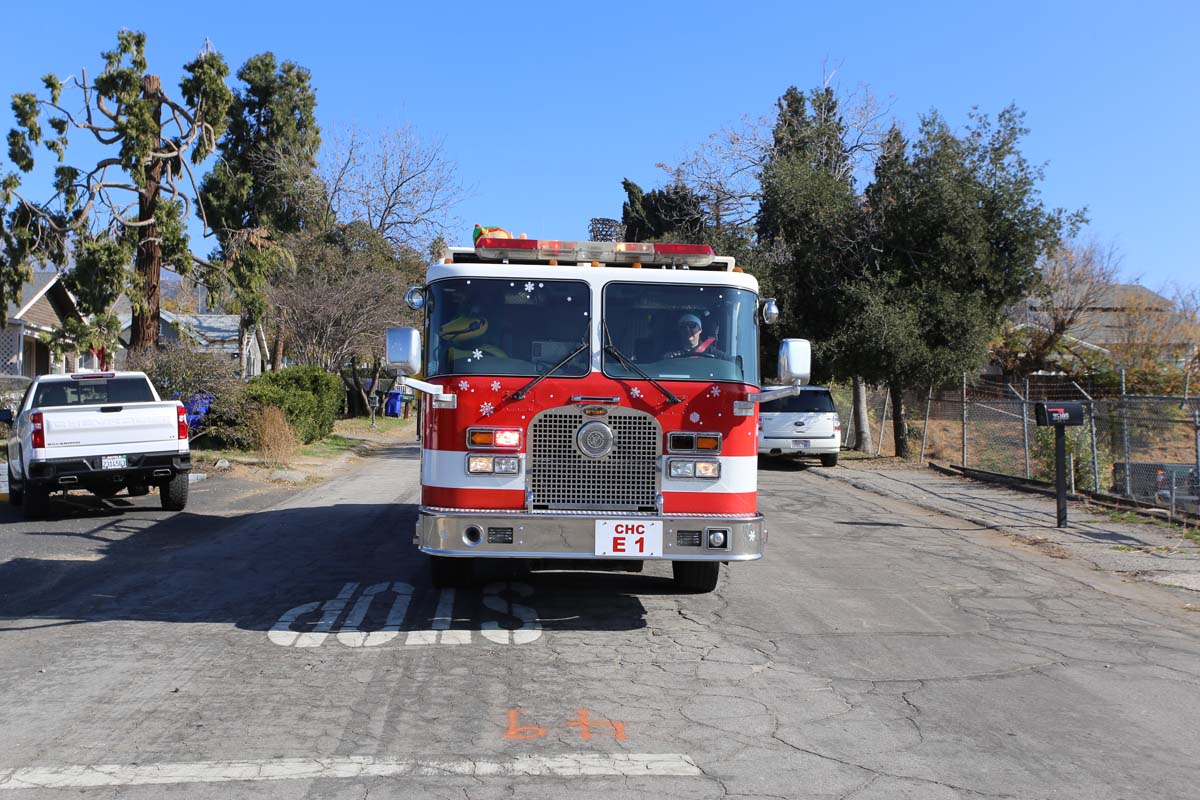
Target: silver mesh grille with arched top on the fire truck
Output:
[{"x": 563, "y": 478}]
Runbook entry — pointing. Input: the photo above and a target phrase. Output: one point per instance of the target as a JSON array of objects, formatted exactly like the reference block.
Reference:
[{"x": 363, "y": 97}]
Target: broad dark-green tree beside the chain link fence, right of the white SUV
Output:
[{"x": 958, "y": 230}]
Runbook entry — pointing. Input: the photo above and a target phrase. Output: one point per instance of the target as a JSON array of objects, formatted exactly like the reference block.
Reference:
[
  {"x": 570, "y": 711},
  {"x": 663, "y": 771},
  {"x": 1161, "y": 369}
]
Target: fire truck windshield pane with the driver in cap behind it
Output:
[{"x": 682, "y": 333}]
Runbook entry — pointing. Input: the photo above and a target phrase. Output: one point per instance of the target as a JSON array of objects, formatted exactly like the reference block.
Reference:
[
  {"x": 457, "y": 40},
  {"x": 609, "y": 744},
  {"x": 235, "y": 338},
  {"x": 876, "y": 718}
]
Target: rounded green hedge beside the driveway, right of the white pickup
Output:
[{"x": 310, "y": 398}]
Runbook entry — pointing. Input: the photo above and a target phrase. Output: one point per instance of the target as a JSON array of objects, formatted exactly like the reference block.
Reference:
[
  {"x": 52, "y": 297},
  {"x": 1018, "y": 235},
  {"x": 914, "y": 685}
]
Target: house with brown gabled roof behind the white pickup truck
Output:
[{"x": 44, "y": 308}]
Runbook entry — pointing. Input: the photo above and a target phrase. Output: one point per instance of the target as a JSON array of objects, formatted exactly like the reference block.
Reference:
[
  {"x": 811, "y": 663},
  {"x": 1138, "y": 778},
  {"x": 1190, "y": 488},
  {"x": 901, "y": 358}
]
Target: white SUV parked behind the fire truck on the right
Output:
[{"x": 805, "y": 425}]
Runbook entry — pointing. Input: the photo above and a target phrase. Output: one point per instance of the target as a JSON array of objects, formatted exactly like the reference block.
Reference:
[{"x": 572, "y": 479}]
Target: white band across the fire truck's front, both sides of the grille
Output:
[{"x": 448, "y": 470}]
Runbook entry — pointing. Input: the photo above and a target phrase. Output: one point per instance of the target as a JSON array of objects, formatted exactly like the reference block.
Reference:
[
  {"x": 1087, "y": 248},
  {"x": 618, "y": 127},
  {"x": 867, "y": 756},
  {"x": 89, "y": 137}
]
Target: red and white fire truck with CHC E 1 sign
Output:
[{"x": 590, "y": 401}]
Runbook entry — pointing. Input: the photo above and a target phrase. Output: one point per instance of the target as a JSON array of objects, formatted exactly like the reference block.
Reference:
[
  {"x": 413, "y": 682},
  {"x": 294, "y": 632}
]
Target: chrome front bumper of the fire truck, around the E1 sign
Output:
[{"x": 572, "y": 536}]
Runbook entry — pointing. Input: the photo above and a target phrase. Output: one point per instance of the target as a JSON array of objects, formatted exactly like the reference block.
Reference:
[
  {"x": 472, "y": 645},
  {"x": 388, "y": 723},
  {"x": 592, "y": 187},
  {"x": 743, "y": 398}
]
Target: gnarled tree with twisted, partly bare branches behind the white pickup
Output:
[{"x": 127, "y": 207}]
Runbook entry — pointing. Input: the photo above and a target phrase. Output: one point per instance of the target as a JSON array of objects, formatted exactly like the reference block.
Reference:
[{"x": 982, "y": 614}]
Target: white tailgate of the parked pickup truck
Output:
[{"x": 107, "y": 429}]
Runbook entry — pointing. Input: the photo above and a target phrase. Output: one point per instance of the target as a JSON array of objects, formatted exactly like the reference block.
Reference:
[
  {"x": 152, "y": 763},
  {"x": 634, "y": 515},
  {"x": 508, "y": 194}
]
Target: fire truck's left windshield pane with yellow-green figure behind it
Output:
[{"x": 507, "y": 327}]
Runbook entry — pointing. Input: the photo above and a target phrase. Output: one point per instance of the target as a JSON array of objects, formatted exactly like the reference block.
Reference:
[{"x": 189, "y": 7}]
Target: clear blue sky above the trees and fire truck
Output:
[{"x": 545, "y": 107}]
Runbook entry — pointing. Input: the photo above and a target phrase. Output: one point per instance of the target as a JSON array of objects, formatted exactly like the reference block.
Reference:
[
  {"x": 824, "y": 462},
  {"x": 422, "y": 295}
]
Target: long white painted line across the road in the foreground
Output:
[{"x": 296, "y": 769}]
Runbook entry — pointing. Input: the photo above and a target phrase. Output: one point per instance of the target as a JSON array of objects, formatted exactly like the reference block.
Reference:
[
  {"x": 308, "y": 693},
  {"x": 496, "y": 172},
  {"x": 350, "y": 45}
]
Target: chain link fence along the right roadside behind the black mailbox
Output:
[{"x": 1139, "y": 447}]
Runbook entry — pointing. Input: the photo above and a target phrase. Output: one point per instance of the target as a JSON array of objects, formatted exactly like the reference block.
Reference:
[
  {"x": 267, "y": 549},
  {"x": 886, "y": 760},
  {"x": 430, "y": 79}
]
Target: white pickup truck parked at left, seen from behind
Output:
[{"x": 100, "y": 431}]
